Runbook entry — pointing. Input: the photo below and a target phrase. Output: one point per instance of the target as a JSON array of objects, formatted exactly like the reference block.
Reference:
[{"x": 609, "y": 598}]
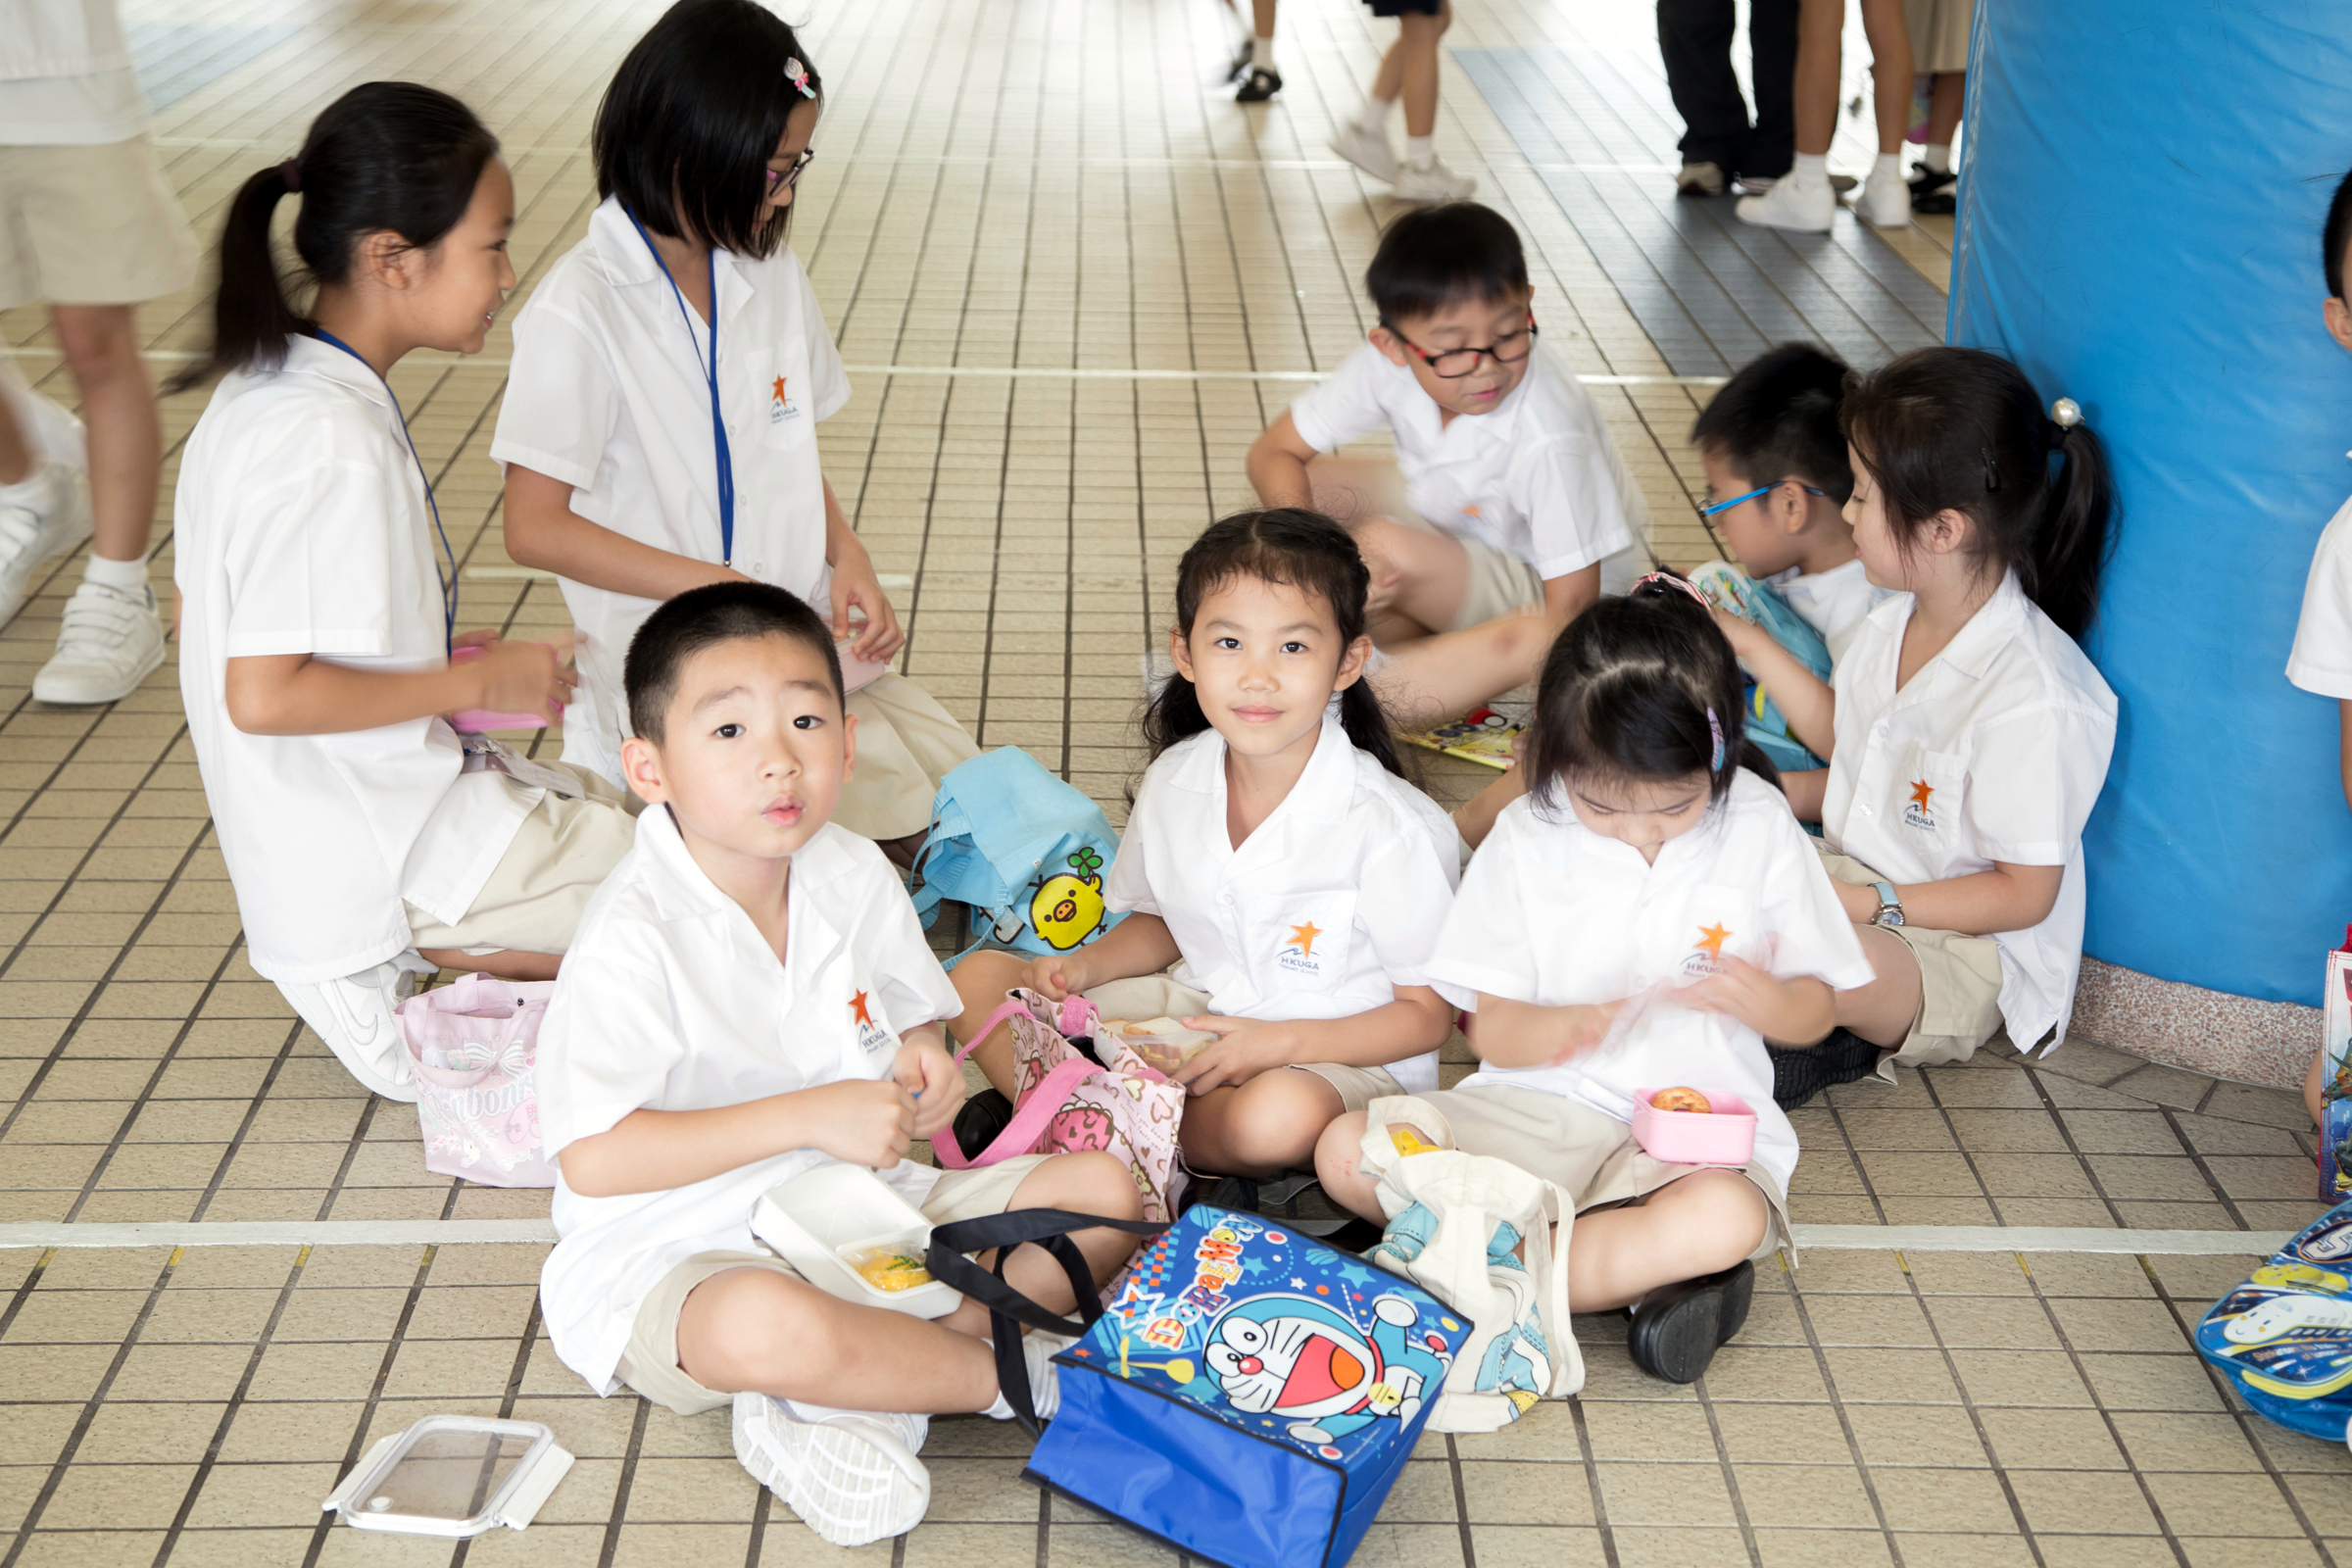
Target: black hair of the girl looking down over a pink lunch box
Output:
[{"x": 1643, "y": 690}]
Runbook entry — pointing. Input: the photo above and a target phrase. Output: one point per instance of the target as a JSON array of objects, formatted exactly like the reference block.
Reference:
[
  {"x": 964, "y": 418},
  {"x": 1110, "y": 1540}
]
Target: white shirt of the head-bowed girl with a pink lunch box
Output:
[{"x": 1553, "y": 913}]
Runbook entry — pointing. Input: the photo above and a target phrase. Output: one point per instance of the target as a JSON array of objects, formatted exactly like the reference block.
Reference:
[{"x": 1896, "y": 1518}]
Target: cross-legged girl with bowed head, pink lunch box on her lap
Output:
[{"x": 1645, "y": 918}]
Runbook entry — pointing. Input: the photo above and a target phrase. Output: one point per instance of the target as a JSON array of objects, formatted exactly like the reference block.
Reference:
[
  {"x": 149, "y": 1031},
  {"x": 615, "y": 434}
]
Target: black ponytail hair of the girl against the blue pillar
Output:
[{"x": 1960, "y": 429}]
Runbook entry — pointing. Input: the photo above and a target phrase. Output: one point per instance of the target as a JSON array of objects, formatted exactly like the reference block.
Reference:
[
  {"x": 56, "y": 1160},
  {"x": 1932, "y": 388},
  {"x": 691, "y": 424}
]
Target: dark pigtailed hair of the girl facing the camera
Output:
[{"x": 1302, "y": 551}]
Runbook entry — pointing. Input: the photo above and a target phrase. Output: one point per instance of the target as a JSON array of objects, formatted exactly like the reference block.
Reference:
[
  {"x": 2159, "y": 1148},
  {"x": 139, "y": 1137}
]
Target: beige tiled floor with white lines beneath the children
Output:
[{"x": 1057, "y": 189}]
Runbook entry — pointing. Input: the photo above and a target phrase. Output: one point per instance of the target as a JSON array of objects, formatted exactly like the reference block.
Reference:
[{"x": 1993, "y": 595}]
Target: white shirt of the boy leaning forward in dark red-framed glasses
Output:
[{"x": 1535, "y": 478}]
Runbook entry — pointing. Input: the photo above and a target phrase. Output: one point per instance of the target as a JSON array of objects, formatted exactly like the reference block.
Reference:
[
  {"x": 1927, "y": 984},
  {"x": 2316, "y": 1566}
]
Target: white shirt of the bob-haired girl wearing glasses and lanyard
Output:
[{"x": 610, "y": 396}]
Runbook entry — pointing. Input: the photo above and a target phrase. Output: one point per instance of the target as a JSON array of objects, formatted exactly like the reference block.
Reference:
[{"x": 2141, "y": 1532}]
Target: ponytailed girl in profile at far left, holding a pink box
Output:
[{"x": 356, "y": 824}]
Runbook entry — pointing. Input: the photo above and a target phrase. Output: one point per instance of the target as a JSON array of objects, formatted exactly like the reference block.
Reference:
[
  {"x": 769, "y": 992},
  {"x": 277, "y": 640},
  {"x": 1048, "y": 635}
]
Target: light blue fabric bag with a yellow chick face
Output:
[{"x": 1024, "y": 850}]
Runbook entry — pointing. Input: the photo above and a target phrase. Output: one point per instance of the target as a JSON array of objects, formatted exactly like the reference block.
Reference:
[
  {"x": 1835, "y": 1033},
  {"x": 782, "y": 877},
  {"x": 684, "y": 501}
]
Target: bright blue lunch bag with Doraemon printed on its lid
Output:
[{"x": 1250, "y": 1398}]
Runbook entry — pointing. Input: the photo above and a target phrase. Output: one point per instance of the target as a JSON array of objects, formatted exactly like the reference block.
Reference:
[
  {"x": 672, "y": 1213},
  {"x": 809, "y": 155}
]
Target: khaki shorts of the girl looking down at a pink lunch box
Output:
[{"x": 1584, "y": 1153}]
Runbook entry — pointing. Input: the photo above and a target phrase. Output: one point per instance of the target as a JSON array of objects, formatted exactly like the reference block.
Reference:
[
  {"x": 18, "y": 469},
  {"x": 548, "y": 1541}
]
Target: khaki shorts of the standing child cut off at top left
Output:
[{"x": 91, "y": 227}]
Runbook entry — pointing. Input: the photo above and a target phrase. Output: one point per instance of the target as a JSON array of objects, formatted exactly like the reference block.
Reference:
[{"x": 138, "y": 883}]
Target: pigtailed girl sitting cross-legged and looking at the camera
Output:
[{"x": 1276, "y": 857}]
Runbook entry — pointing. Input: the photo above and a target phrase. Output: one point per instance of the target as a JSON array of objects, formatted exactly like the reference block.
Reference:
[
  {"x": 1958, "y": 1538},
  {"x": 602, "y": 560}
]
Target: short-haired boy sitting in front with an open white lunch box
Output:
[{"x": 749, "y": 996}]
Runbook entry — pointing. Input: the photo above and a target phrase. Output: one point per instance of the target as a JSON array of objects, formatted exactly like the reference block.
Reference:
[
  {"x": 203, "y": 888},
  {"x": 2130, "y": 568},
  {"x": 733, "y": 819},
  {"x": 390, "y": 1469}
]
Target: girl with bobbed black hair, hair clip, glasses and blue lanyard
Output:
[{"x": 660, "y": 424}]
